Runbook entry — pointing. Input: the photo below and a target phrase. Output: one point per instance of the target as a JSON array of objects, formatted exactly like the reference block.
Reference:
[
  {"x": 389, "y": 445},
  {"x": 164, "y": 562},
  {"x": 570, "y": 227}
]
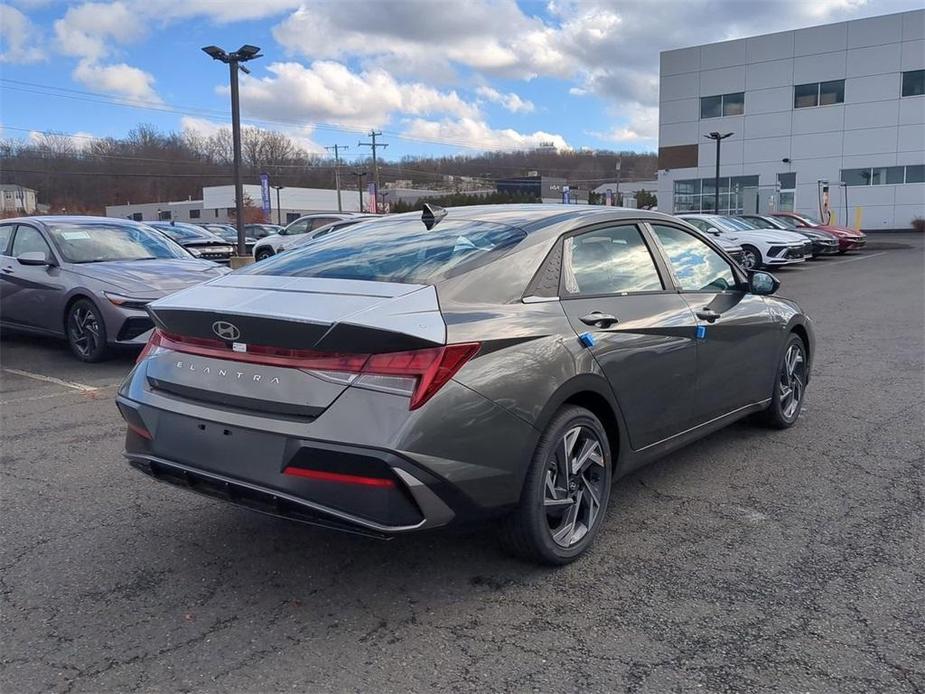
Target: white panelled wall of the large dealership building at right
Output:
[{"x": 874, "y": 126}]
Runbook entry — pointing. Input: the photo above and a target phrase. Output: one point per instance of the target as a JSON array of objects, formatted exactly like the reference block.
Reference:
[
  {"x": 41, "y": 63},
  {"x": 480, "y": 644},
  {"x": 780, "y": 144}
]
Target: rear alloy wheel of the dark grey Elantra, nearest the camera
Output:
[{"x": 574, "y": 486}]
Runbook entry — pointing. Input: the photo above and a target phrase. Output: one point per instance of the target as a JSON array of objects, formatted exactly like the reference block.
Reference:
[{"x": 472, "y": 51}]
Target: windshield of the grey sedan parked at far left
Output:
[{"x": 98, "y": 242}]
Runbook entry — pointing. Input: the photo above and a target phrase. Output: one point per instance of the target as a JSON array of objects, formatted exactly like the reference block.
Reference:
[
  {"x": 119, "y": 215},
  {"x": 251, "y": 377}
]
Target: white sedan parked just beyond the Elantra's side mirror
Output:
[{"x": 760, "y": 247}]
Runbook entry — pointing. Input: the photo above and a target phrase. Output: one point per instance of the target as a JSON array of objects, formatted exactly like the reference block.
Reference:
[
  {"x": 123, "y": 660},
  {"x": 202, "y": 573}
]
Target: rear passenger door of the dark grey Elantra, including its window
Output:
[{"x": 639, "y": 329}]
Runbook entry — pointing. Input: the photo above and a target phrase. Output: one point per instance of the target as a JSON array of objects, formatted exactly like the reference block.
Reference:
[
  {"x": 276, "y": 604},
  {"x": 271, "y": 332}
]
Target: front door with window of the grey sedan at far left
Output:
[{"x": 35, "y": 291}]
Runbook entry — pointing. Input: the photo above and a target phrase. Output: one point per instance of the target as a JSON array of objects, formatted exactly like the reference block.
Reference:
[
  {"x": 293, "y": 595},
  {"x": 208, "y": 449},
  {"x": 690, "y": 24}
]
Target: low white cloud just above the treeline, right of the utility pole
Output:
[{"x": 472, "y": 133}]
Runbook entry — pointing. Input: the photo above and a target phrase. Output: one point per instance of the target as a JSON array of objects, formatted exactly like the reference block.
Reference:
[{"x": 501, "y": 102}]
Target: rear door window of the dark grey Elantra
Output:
[{"x": 608, "y": 261}]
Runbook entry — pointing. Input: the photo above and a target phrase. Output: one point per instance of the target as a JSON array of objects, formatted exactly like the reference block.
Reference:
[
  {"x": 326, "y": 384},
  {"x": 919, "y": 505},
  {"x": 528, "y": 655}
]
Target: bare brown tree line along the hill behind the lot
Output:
[{"x": 83, "y": 175}]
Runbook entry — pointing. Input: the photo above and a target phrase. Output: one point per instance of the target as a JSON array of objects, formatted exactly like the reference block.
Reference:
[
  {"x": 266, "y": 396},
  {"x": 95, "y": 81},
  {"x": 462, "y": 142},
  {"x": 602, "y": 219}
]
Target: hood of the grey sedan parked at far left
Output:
[{"x": 149, "y": 278}]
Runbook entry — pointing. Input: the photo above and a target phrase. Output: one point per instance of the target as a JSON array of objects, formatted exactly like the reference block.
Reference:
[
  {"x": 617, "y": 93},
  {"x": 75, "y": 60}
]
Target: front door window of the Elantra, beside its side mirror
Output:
[{"x": 696, "y": 266}]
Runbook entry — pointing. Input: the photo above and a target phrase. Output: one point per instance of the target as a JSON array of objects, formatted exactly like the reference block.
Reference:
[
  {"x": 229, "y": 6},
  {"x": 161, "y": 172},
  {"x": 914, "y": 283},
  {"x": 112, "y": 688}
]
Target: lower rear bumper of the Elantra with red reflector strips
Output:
[{"x": 340, "y": 485}]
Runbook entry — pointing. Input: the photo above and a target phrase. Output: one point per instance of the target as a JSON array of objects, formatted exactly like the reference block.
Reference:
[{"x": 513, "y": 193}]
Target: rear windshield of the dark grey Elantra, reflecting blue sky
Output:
[{"x": 396, "y": 250}]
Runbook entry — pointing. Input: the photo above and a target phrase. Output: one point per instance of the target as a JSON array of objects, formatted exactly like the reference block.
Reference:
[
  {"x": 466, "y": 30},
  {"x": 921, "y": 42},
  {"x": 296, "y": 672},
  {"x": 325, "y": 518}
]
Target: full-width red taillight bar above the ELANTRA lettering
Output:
[{"x": 431, "y": 368}]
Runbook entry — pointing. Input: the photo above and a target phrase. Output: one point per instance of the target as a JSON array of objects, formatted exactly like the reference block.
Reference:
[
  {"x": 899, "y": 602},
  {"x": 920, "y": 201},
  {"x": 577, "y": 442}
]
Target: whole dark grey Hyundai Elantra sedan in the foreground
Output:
[{"x": 422, "y": 371}]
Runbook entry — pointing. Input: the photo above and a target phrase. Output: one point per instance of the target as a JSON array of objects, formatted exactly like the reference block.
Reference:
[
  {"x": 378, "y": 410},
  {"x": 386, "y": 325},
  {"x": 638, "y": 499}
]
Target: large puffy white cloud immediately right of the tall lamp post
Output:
[{"x": 330, "y": 92}]
